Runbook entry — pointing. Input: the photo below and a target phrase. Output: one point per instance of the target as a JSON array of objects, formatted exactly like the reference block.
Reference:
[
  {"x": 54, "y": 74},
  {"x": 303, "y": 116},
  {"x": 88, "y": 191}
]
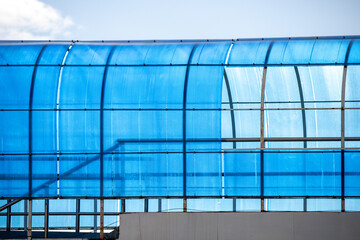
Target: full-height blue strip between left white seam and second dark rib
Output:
[{"x": 79, "y": 128}]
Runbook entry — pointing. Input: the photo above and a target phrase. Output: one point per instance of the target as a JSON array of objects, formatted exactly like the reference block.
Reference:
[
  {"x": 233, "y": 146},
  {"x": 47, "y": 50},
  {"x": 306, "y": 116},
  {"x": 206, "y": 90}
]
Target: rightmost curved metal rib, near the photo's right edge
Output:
[{"x": 343, "y": 91}]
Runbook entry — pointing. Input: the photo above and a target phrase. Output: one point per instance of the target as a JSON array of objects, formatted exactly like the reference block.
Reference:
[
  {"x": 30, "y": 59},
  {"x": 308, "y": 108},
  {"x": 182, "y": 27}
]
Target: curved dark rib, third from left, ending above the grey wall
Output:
[{"x": 184, "y": 120}]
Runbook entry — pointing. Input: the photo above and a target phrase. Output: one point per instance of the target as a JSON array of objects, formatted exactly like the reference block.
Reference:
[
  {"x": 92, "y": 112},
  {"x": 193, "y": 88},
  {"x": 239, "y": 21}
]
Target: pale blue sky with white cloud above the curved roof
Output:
[{"x": 171, "y": 19}]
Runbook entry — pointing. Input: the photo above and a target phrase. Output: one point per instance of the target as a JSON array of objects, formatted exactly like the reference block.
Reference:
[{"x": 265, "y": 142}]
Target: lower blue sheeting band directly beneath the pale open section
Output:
[{"x": 290, "y": 173}]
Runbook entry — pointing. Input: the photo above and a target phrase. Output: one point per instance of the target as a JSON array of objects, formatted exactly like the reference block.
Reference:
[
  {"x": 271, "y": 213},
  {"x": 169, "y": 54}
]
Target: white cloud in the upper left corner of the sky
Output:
[{"x": 31, "y": 20}]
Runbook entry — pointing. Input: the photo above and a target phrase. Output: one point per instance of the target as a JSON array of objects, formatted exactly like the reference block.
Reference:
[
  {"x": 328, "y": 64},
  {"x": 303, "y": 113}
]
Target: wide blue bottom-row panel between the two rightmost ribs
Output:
[{"x": 302, "y": 173}]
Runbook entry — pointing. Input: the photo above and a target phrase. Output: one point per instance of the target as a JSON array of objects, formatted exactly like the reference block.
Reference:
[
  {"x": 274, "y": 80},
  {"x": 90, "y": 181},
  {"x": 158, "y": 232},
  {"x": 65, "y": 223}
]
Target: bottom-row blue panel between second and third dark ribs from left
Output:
[{"x": 135, "y": 175}]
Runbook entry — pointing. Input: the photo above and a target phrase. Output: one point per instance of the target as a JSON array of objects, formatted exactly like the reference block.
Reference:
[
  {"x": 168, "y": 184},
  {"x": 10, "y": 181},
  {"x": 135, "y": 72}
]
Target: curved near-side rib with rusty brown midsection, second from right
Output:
[{"x": 262, "y": 125}]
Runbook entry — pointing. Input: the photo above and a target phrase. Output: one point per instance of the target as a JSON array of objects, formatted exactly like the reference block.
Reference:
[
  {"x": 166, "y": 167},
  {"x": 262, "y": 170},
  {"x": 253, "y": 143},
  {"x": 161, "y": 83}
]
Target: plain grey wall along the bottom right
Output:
[{"x": 244, "y": 226}]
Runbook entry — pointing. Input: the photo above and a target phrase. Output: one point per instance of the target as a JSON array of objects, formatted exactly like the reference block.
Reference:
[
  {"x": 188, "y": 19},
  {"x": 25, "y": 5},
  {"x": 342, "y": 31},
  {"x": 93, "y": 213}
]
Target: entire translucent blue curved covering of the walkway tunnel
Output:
[{"x": 156, "y": 119}]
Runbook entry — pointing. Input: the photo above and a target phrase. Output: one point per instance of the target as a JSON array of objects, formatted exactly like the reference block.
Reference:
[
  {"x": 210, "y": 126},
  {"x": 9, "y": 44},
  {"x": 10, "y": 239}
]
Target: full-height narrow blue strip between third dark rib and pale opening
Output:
[{"x": 204, "y": 91}]
